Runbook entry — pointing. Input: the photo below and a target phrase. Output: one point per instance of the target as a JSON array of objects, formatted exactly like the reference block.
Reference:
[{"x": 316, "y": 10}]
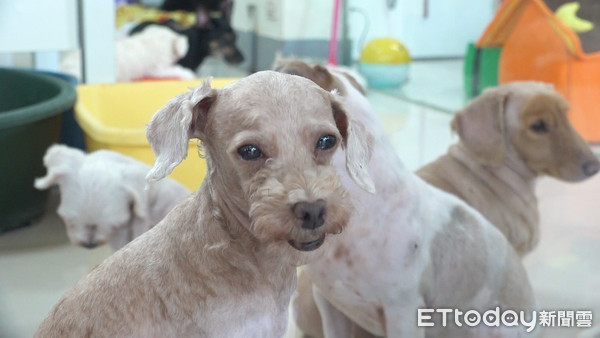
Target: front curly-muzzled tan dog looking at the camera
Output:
[{"x": 223, "y": 262}]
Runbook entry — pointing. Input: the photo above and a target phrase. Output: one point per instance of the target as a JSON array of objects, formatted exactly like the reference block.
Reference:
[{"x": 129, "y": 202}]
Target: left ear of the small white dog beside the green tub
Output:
[{"x": 59, "y": 160}]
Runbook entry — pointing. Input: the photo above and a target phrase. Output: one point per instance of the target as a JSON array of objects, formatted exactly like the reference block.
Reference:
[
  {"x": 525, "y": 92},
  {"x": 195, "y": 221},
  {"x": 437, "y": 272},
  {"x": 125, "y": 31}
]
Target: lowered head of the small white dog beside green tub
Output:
[{"x": 94, "y": 200}]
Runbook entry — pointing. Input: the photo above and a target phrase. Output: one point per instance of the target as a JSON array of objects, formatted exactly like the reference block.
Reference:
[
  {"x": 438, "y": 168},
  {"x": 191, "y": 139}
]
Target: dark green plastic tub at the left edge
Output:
[{"x": 31, "y": 105}]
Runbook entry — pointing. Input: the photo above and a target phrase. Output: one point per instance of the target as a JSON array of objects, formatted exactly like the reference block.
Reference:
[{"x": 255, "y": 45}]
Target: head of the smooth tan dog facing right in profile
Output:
[{"x": 531, "y": 118}]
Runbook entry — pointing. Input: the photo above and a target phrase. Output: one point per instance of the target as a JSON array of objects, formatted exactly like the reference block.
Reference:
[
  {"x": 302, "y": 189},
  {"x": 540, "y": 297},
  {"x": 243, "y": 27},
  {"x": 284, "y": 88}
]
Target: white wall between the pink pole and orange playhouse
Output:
[{"x": 445, "y": 31}]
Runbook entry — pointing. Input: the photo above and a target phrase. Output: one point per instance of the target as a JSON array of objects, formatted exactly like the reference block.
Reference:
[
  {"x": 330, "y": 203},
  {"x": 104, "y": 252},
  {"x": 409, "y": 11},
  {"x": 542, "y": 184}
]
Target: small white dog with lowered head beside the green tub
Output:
[{"x": 103, "y": 195}]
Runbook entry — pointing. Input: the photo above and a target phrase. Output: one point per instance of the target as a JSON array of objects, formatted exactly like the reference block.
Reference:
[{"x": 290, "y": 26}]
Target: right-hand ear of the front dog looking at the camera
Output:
[{"x": 358, "y": 143}]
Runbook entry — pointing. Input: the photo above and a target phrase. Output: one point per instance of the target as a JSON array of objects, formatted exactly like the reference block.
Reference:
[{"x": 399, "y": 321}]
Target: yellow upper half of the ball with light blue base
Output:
[{"x": 385, "y": 50}]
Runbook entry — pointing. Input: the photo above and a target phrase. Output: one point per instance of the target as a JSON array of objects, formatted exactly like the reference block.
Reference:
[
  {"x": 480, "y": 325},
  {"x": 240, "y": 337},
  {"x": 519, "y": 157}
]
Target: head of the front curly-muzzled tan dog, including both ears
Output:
[{"x": 269, "y": 140}]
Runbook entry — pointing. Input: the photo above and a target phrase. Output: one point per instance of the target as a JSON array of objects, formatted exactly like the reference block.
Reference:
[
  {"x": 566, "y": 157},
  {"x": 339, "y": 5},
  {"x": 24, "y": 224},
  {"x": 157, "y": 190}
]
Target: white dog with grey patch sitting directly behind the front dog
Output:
[{"x": 408, "y": 247}]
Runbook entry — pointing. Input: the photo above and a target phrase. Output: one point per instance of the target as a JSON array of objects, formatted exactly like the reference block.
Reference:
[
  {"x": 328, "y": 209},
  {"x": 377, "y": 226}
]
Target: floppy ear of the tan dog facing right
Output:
[{"x": 480, "y": 126}]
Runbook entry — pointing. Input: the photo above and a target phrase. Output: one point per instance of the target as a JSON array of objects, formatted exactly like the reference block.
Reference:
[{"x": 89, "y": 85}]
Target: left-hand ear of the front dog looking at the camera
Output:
[{"x": 172, "y": 126}]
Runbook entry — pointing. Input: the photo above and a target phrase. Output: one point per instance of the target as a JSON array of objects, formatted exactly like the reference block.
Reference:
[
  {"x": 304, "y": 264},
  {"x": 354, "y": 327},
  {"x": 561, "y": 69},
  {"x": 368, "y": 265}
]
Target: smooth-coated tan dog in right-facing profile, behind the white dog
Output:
[{"x": 509, "y": 136}]
